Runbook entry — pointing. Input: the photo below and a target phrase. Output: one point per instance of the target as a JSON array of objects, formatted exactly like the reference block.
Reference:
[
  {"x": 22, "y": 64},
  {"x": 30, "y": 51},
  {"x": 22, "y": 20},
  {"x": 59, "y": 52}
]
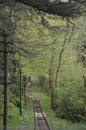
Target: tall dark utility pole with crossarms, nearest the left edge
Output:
[{"x": 5, "y": 120}]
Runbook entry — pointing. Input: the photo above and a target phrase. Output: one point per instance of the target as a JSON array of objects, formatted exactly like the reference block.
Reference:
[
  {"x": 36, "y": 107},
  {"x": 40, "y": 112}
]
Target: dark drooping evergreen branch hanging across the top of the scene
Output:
[{"x": 65, "y": 8}]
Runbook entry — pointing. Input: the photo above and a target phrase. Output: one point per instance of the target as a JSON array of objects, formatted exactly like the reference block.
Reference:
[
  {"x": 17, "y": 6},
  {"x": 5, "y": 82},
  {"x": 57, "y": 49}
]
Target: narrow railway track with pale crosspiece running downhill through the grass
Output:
[{"x": 40, "y": 122}]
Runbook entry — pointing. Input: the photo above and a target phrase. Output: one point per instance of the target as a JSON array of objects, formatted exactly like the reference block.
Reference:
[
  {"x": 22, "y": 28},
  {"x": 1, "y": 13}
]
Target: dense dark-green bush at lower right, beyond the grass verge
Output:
[{"x": 71, "y": 104}]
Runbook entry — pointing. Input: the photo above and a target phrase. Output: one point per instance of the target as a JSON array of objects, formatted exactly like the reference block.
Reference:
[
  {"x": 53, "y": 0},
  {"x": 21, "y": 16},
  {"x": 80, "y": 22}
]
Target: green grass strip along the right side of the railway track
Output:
[{"x": 54, "y": 122}]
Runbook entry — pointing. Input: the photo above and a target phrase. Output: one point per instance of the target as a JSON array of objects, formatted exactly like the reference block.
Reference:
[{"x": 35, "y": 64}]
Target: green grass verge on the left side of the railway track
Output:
[{"x": 24, "y": 121}]
